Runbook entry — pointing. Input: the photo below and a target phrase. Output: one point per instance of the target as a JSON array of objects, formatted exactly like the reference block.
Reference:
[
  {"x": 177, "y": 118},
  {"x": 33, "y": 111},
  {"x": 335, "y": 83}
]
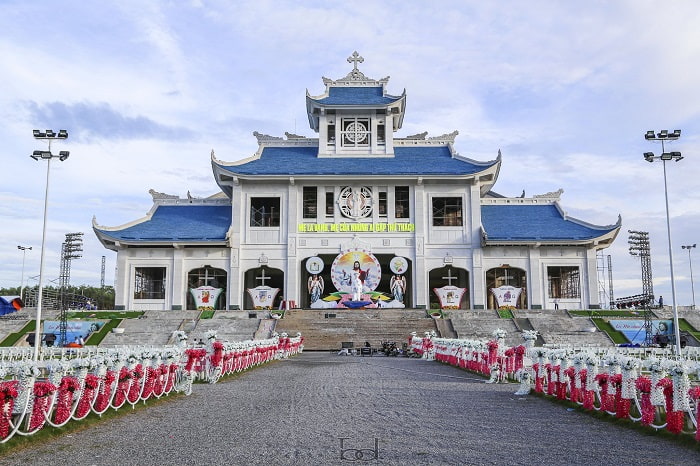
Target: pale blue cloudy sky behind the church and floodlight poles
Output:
[{"x": 146, "y": 89}]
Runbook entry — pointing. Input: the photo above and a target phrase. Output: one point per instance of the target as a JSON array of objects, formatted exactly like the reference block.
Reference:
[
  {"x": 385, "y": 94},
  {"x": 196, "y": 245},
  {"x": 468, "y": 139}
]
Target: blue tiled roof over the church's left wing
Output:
[{"x": 179, "y": 223}]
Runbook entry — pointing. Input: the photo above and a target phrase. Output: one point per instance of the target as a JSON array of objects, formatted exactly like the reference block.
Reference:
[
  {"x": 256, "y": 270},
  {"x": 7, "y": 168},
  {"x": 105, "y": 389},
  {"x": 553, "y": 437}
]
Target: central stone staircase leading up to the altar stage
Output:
[{"x": 324, "y": 330}]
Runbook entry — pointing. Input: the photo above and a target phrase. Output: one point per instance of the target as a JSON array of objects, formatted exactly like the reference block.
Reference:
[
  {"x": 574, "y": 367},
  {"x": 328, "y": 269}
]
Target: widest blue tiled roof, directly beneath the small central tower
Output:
[{"x": 430, "y": 160}]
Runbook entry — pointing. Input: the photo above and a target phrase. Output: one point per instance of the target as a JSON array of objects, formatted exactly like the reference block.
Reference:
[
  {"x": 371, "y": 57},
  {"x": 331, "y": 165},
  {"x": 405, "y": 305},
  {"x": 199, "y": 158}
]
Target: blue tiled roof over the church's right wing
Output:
[{"x": 534, "y": 223}]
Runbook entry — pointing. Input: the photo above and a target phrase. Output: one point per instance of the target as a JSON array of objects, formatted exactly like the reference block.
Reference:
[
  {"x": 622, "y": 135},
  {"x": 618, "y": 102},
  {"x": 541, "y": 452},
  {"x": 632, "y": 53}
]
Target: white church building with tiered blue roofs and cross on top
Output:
[{"x": 356, "y": 217}]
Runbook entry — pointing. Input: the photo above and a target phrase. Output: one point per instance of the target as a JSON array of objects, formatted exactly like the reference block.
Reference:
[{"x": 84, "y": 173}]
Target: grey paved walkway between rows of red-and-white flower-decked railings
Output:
[{"x": 397, "y": 410}]
